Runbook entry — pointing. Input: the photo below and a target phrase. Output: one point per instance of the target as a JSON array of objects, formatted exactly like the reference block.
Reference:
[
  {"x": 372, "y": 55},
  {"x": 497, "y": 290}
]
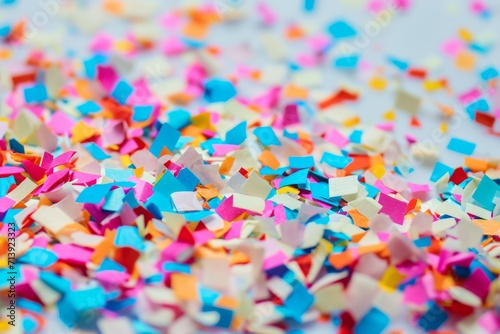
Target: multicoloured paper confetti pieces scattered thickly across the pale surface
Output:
[{"x": 148, "y": 191}]
